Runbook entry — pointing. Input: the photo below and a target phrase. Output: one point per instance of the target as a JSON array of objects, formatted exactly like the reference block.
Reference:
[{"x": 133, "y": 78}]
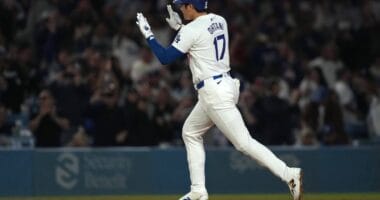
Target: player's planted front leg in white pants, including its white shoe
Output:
[{"x": 196, "y": 124}]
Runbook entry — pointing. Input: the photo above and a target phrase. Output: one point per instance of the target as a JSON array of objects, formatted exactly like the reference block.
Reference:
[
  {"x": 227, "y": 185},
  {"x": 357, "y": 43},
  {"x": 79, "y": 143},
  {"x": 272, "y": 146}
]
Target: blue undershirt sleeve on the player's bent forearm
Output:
[{"x": 164, "y": 55}]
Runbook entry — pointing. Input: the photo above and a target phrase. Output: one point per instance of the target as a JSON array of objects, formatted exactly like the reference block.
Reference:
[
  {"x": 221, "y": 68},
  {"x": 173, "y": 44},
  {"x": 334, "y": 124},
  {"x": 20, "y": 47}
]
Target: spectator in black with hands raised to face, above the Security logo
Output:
[{"x": 47, "y": 125}]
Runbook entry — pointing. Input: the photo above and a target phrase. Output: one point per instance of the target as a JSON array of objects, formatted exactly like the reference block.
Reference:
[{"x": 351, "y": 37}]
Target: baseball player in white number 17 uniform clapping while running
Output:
[{"x": 205, "y": 42}]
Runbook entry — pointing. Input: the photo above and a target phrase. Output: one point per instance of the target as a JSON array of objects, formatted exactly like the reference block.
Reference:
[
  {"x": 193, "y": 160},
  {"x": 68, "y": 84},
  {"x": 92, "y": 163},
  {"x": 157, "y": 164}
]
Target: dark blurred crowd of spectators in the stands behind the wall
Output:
[{"x": 78, "y": 73}]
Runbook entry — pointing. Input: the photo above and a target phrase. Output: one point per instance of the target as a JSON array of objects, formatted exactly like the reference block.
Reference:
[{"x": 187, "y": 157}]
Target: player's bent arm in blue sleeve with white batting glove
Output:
[{"x": 164, "y": 55}]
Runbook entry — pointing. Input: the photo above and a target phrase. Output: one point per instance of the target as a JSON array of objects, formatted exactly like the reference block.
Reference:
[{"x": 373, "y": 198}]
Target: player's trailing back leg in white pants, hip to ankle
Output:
[{"x": 219, "y": 98}]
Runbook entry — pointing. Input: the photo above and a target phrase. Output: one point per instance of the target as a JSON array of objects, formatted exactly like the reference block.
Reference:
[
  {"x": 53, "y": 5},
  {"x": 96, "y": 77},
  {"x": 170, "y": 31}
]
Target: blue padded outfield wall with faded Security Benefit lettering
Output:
[{"x": 119, "y": 171}]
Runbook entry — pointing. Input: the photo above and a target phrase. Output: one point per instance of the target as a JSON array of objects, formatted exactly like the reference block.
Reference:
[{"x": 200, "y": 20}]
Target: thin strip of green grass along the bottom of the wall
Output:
[{"x": 364, "y": 196}]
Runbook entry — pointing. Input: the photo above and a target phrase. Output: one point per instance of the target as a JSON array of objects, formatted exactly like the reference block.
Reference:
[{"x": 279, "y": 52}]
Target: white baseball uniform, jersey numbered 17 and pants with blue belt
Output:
[{"x": 205, "y": 39}]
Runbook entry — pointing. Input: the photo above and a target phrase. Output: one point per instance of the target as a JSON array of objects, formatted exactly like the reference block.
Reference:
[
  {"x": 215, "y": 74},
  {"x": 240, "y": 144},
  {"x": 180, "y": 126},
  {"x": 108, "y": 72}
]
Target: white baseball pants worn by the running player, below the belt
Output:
[{"x": 217, "y": 106}]
